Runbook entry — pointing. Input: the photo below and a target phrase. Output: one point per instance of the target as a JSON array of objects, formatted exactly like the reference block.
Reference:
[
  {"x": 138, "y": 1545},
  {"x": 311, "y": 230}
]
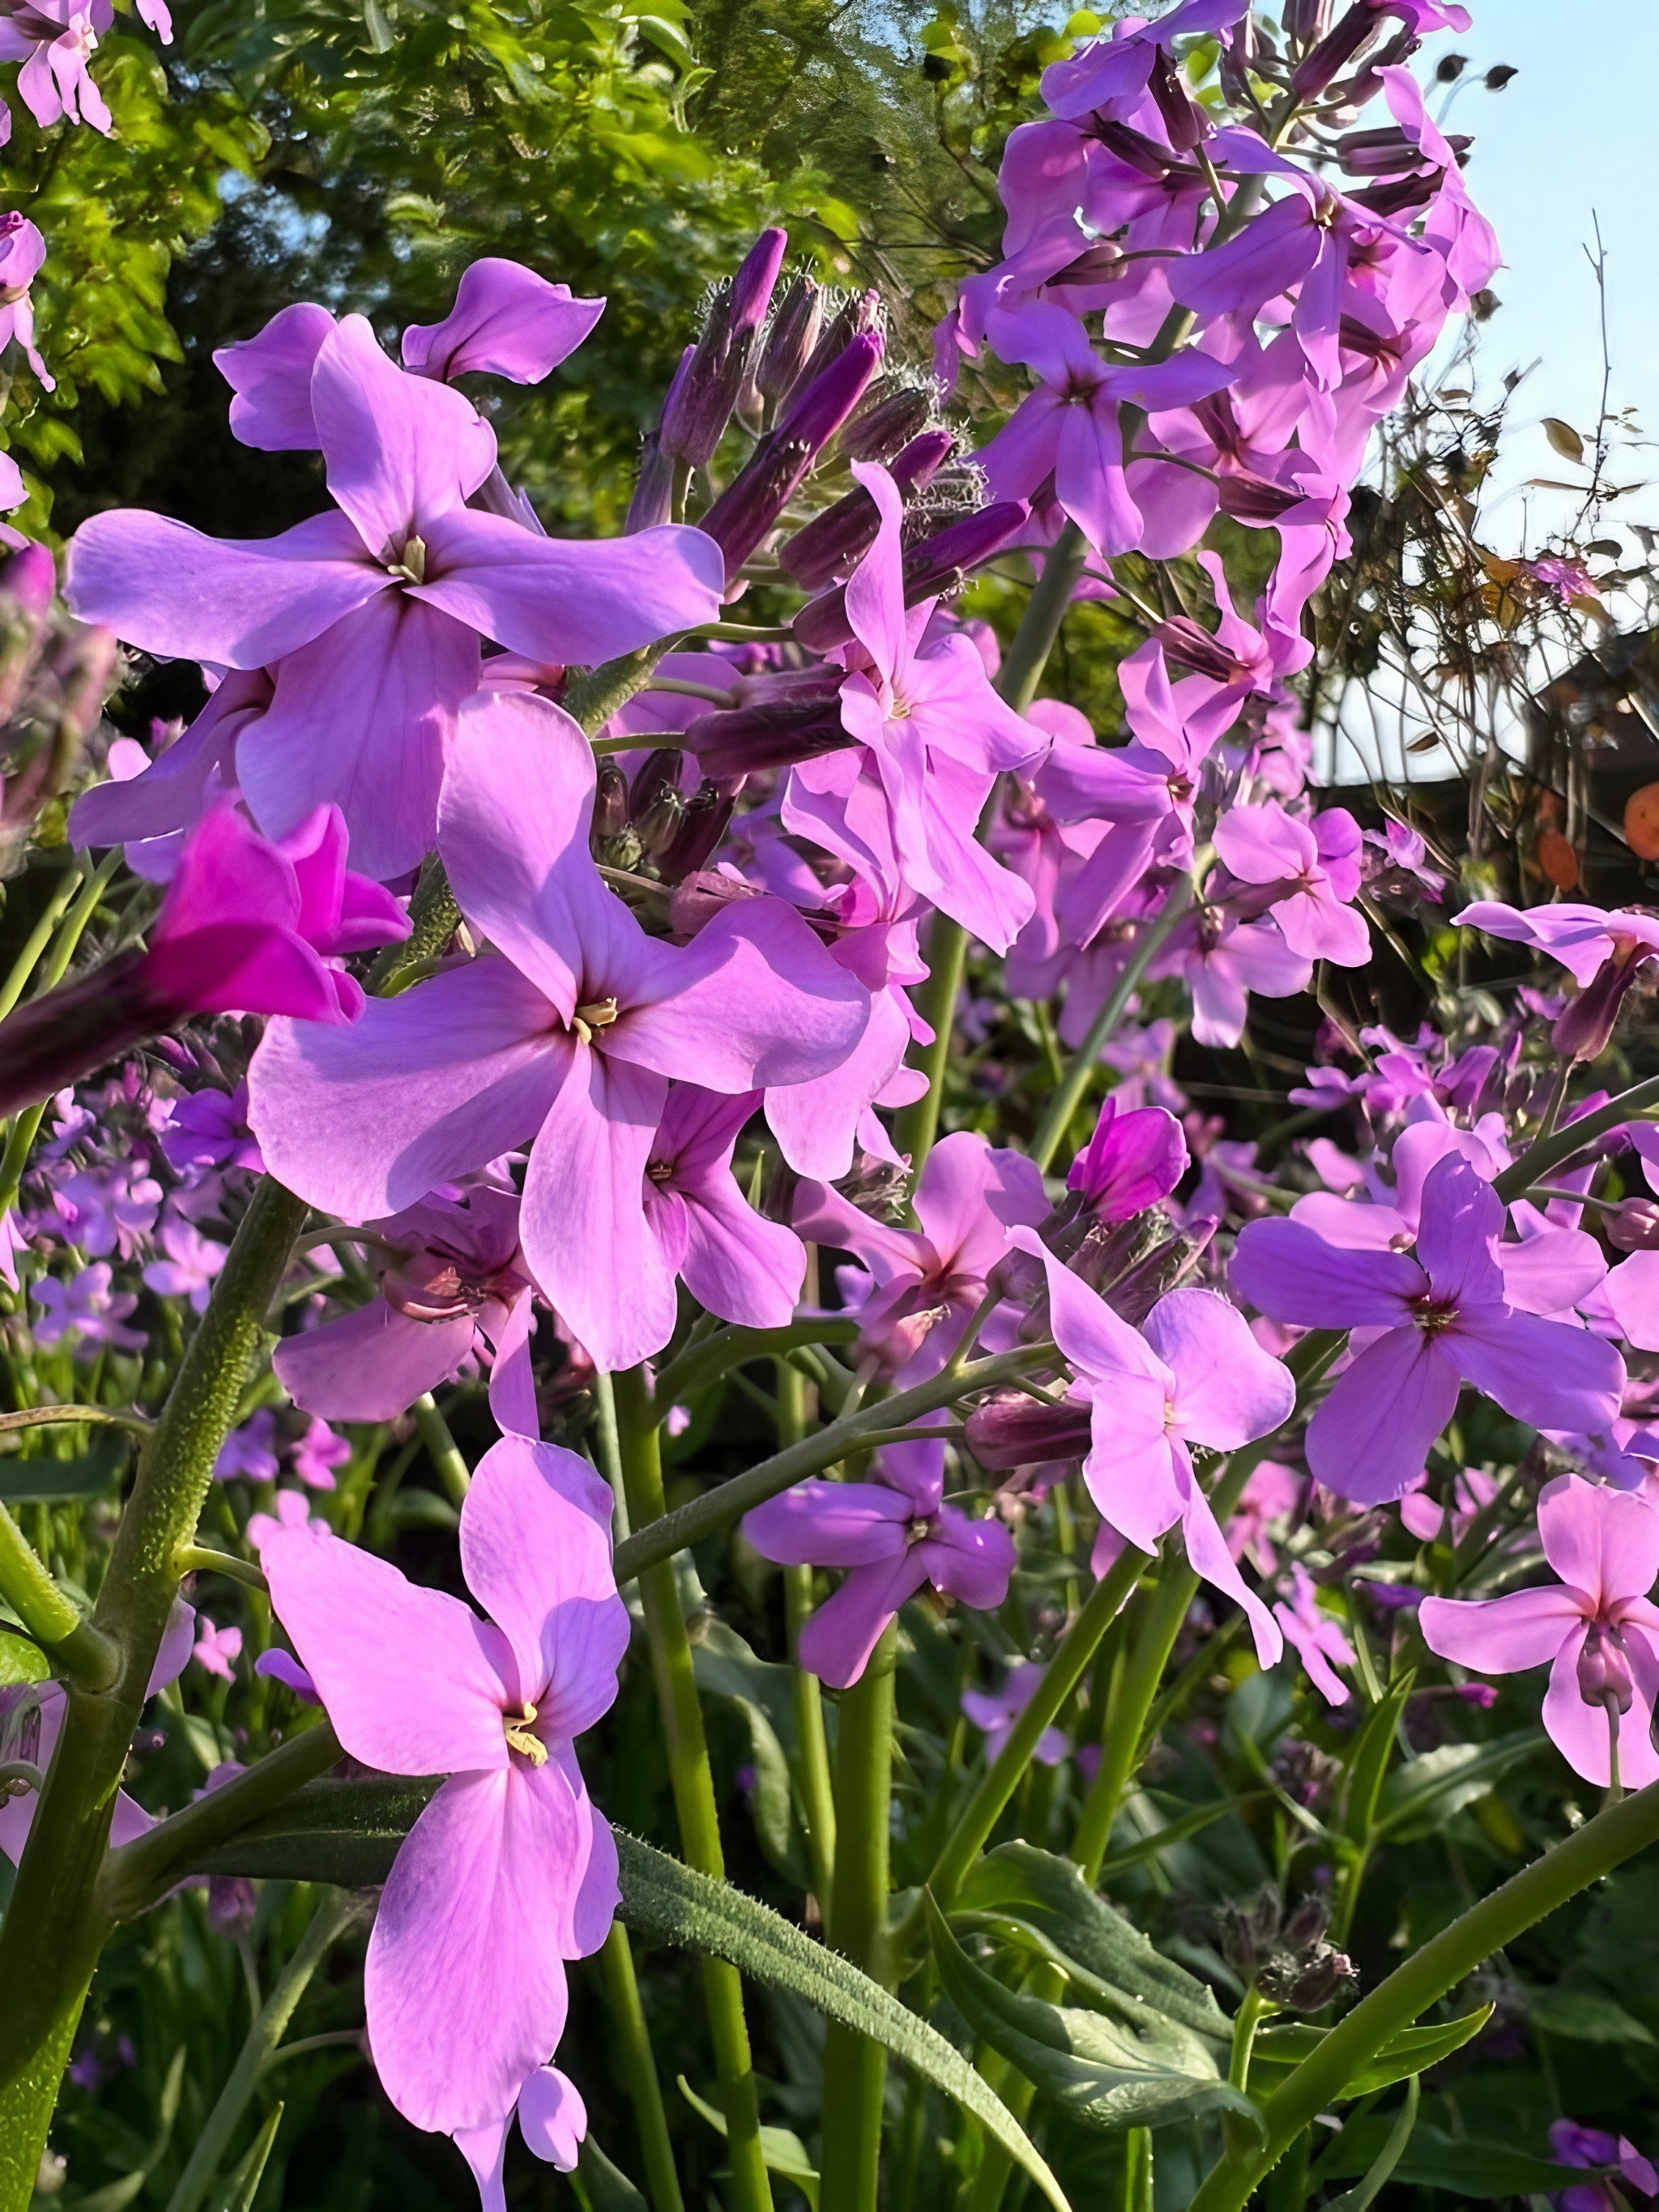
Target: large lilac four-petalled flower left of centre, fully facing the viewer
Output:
[{"x": 565, "y": 1043}]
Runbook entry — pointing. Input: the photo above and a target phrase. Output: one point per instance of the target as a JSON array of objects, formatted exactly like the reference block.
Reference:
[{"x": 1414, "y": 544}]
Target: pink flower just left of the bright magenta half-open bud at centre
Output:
[{"x": 926, "y": 1284}]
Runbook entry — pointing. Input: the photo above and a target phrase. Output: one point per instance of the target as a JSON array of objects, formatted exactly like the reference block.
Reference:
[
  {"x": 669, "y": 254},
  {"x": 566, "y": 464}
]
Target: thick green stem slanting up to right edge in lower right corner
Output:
[{"x": 1488, "y": 1928}]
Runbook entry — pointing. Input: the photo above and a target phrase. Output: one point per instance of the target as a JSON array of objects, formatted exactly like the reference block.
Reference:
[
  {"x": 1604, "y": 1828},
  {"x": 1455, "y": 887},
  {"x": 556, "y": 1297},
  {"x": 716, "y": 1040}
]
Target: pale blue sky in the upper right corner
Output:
[{"x": 1569, "y": 138}]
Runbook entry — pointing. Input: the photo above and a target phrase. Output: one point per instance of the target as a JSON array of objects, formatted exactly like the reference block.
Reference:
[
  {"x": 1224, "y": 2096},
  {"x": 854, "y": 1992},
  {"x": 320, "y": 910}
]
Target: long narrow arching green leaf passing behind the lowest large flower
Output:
[{"x": 348, "y": 1833}]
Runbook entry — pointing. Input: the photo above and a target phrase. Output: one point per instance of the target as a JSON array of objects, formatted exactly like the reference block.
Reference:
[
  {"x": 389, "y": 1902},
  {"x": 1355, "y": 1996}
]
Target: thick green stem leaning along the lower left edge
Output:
[{"x": 56, "y": 1926}]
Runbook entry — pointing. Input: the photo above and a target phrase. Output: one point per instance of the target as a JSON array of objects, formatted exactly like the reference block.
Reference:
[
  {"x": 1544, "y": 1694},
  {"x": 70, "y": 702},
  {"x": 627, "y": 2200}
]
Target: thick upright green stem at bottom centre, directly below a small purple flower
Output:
[{"x": 855, "y": 2067}]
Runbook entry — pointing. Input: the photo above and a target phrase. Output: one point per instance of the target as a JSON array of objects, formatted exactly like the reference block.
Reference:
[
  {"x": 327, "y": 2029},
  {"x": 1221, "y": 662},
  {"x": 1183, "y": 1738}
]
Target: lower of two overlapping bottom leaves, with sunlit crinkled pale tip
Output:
[{"x": 1100, "y": 2072}]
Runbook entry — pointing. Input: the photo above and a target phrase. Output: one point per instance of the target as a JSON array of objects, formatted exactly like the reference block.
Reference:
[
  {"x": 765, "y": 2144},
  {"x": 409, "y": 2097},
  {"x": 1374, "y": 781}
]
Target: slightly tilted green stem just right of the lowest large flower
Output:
[{"x": 693, "y": 1784}]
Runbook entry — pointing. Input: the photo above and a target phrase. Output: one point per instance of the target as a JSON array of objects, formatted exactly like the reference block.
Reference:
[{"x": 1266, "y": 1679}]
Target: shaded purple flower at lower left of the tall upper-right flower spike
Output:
[{"x": 1070, "y": 426}]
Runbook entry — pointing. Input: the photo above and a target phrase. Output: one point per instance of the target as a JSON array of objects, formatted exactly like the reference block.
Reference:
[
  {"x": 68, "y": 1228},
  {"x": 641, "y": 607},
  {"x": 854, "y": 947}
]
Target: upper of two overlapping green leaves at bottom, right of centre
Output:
[{"x": 1043, "y": 1901}]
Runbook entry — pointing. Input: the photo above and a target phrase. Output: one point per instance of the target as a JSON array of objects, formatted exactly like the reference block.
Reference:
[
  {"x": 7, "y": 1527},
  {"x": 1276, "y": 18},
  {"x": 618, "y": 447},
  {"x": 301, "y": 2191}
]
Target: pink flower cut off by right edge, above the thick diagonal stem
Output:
[{"x": 1596, "y": 1625}]
